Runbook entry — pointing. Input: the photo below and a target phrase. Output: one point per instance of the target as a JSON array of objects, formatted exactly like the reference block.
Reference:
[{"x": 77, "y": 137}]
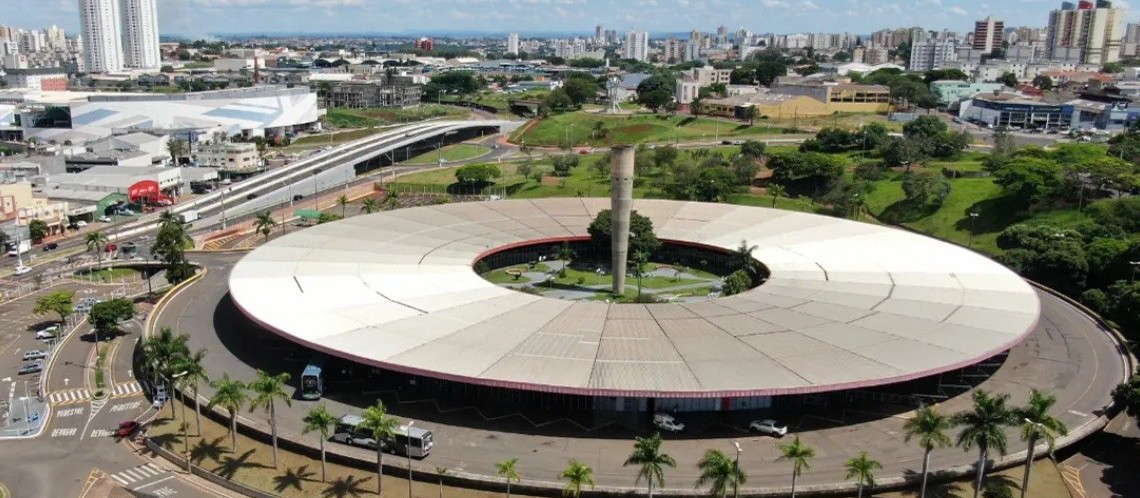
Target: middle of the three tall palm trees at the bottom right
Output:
[{"x": 984, "y": 427}]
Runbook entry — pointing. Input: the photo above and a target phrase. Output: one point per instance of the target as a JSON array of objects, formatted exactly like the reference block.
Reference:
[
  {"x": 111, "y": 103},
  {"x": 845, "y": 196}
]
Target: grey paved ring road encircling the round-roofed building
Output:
[{"x": 1066, "y": 354}]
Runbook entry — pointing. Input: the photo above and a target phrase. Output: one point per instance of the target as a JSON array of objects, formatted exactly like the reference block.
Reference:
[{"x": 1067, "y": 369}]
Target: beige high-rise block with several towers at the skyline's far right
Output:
[{"x": 1088, "y": 32}]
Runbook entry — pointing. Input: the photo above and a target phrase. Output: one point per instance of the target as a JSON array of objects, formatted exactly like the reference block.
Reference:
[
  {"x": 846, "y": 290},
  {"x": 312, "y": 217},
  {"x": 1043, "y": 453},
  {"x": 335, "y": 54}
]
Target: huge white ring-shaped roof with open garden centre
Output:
[{"x": 849, "y": 305}]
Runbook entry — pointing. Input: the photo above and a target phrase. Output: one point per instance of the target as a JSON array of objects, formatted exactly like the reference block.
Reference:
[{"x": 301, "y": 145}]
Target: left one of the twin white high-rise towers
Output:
[{"x": 103, "y": 52}]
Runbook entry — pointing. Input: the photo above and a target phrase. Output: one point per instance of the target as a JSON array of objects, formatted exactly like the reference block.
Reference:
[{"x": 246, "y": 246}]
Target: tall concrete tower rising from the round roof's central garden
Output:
[{"x": 622, "y": 203}]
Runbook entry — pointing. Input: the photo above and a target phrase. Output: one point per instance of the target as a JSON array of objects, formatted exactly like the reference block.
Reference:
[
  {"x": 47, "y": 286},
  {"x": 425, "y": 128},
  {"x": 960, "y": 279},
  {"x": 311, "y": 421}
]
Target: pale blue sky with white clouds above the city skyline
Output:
[{"x": 437, "y": 18}]
